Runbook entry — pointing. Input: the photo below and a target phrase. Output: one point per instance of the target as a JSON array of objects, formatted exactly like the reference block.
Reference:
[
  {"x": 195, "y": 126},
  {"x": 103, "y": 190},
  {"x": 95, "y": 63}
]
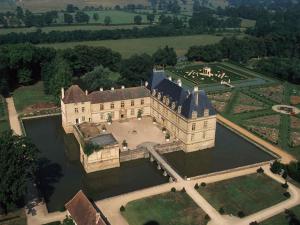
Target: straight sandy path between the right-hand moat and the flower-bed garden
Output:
[{"x": 285, "y": 157}]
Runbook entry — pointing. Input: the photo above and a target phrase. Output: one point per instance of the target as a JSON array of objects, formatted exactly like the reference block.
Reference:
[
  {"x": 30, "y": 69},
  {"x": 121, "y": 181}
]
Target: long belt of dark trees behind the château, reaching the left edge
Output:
[{"x": 91, "y": 67}]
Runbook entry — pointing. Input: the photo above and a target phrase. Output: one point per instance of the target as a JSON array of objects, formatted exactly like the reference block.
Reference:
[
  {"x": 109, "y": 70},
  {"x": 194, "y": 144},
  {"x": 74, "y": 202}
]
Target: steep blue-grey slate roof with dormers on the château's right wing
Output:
[{"x": 189, "y": 101}]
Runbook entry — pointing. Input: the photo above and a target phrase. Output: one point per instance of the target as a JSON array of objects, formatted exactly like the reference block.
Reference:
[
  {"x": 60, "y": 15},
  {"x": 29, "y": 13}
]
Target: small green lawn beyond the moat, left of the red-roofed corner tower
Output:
[{"x": 29, "y": 95}]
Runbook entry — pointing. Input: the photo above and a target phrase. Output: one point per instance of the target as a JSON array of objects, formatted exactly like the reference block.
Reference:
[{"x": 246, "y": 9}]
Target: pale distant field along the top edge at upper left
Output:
[{"x": 45, "y": 5}]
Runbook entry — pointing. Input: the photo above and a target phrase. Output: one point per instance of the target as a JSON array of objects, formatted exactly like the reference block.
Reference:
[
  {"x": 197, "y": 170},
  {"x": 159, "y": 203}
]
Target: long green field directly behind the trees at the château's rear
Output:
[{"x": 128, "y": 47}]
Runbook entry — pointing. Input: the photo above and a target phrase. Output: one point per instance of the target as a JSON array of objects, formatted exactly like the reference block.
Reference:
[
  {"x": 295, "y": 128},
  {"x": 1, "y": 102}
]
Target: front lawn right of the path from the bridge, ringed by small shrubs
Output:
[{"x": 248, "y": 194}]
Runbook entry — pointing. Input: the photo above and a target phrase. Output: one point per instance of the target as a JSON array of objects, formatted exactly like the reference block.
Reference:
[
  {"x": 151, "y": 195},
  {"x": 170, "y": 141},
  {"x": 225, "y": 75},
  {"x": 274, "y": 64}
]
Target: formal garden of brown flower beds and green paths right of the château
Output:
[{"x": 251, "y": 108}]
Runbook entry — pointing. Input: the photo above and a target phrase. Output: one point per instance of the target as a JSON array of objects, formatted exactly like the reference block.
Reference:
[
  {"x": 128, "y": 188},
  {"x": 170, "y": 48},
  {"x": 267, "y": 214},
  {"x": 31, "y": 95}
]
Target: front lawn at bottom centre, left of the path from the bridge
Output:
[{"x": 167, "y": 208}]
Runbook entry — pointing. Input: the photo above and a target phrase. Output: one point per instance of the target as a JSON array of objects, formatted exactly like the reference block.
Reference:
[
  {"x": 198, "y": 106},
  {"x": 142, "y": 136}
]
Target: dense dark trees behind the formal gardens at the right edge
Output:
[{"x": 278, "y": 57}]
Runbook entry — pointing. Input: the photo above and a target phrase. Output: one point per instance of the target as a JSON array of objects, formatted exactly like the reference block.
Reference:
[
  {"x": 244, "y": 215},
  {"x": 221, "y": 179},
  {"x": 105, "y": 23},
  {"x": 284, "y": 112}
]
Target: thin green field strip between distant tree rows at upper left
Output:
[{"x": 67, "y": 28}]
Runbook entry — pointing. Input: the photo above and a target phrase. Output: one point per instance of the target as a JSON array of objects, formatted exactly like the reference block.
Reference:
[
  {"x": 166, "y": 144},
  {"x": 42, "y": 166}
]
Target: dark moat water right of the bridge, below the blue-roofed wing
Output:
[{"x": 230, "y": 151}]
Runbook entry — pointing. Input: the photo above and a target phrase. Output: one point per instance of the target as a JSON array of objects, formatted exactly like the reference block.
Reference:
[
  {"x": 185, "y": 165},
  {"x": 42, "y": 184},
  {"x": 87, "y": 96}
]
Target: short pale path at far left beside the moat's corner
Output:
[{"x": 13, "y": 116}]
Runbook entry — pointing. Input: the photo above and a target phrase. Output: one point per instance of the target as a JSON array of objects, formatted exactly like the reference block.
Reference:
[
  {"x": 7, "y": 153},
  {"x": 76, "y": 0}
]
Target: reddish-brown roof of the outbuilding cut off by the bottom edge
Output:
[{"x": 82, "y": 211}]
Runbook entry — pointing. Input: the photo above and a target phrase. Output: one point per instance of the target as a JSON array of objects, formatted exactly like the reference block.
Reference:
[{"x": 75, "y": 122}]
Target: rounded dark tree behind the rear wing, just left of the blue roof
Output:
[{"x": 136, "y": 69}]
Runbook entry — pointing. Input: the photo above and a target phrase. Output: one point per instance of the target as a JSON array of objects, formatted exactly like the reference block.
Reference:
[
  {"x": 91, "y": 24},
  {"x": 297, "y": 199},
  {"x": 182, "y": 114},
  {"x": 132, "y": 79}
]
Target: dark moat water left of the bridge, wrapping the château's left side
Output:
[{"x": 61, "y": 174}]
